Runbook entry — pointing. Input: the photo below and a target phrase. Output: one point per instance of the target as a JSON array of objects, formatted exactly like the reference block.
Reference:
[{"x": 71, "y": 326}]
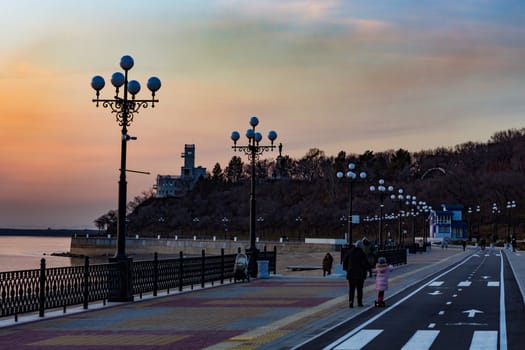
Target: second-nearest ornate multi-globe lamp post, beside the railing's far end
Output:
[{"x": 253, "y": 150}]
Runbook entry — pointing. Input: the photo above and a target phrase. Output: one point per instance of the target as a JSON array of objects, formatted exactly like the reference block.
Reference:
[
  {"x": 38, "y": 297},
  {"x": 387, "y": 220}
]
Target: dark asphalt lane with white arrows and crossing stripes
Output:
[{"x": 475, "y": 304}]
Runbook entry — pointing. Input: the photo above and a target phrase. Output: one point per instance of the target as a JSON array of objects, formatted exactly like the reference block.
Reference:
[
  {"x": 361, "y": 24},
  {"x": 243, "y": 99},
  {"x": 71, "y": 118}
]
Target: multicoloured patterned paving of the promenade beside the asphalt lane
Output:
[{"x": 275, "y": 313}]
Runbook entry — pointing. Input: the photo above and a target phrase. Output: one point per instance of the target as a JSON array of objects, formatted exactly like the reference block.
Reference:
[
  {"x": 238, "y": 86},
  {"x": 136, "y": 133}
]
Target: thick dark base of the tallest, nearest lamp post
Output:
[{"x": 120, "y": 281}]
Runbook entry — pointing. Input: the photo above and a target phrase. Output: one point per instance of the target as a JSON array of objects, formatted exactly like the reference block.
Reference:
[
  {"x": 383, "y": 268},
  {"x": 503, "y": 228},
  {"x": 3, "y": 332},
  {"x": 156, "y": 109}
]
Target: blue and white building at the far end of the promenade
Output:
[{"x": 448, "y": 223}]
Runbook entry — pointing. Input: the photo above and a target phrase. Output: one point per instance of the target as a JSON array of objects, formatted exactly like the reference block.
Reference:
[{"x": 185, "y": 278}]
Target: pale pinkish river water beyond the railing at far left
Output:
[{"x": 25, "y": 252}]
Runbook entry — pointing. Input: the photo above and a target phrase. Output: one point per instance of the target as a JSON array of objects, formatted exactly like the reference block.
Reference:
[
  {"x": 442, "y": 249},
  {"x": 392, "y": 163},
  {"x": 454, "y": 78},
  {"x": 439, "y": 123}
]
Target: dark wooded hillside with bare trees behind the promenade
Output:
[{"x": 311, "y": 201}]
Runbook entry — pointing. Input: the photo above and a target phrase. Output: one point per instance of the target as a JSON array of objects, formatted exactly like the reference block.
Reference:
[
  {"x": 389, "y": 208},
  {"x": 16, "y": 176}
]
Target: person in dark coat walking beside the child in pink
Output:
[{"x": 356, "y": 265}]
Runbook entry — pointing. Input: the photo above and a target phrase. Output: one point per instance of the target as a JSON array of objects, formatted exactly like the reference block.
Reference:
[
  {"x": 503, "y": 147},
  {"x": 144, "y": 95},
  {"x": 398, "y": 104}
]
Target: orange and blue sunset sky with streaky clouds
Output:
[{"x": 334, "y": 75}]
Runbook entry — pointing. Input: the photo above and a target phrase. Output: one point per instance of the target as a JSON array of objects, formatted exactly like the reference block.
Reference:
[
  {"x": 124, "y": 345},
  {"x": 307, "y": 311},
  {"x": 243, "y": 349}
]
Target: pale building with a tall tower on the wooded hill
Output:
[{"x": 177, "y": 185}]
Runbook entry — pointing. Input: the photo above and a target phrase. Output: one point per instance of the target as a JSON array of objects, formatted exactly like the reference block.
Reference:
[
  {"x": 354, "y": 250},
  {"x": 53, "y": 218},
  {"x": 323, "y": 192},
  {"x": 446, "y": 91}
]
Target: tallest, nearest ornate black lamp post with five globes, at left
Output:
[{"x": 124, "y": 107}]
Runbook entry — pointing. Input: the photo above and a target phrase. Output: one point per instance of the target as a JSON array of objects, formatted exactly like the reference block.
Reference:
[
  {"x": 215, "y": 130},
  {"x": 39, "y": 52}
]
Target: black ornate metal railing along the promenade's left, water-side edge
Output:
[{"x": 59, "y": 287}]
